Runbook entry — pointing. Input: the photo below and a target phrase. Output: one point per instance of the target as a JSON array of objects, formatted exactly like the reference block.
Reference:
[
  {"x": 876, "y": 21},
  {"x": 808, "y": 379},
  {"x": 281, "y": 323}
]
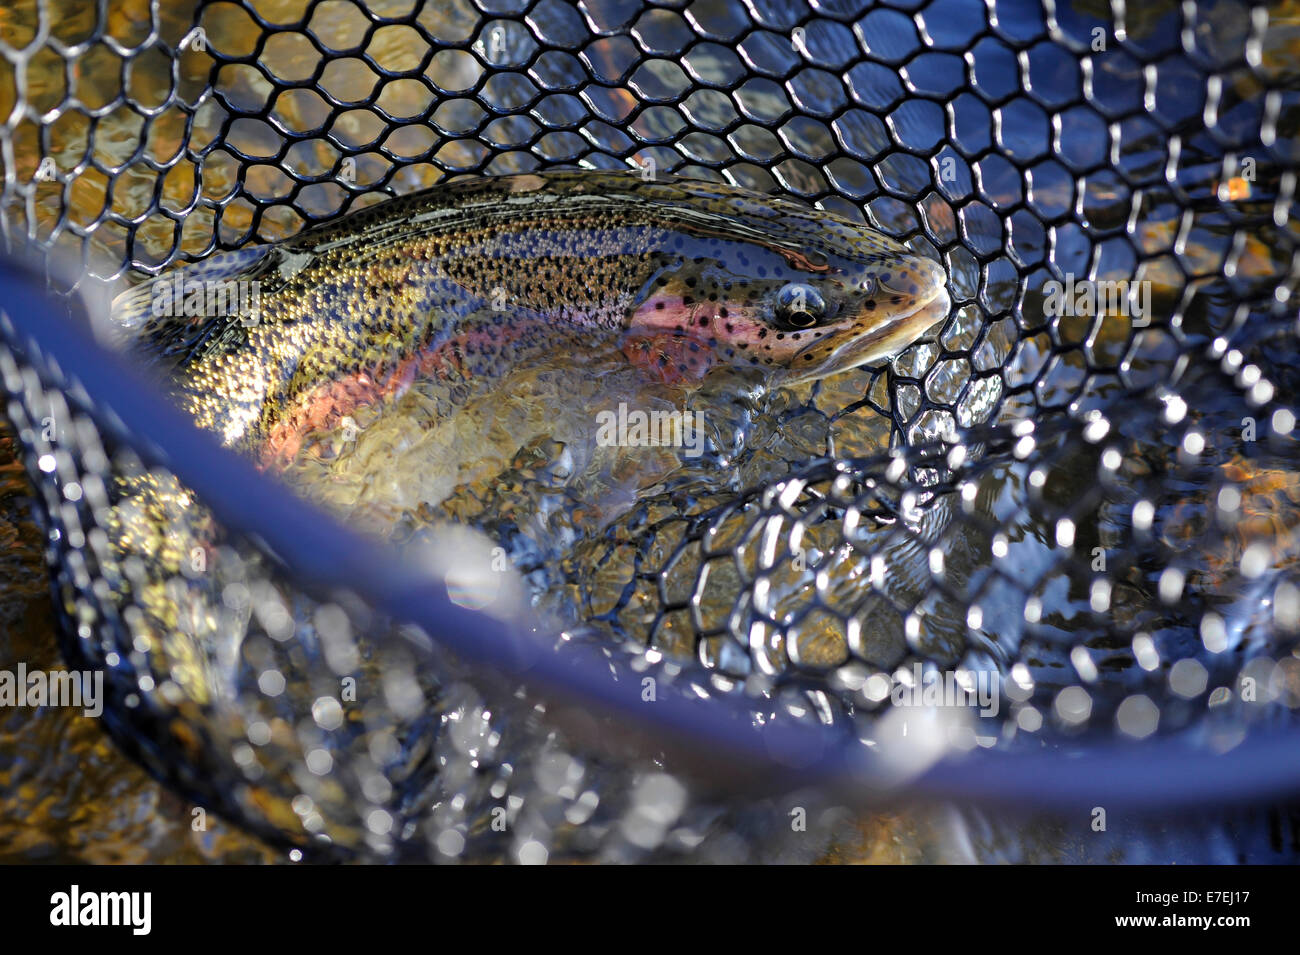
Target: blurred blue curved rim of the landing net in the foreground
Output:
[{"x": 323, "y": 555}]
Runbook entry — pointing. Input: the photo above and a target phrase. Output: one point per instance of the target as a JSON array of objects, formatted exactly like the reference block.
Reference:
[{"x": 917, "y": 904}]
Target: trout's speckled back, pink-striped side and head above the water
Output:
[{"x": 274, "y": 348}]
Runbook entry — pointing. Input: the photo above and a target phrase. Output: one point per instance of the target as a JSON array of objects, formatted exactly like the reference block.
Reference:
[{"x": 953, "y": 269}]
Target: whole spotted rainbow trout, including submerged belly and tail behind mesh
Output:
[{"x": 450, "y": 357}]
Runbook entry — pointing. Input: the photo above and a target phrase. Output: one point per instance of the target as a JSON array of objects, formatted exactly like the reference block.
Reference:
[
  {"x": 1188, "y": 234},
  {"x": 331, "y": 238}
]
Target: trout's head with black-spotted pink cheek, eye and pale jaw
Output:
[{"x": 799, "y": 293}]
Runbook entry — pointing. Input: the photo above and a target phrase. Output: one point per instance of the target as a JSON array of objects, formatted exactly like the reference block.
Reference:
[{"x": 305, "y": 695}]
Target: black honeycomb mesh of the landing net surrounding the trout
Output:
[{"x": 1095, "y": 511}]
